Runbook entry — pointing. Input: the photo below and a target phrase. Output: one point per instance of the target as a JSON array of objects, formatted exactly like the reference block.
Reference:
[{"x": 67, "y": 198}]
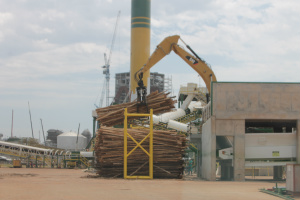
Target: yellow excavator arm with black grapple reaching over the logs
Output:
[{"x": 164, "y": 48}]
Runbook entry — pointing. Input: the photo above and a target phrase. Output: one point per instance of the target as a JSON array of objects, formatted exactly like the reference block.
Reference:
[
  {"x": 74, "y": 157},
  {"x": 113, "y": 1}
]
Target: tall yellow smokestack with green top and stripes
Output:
[{"x": 140, "y": 42}]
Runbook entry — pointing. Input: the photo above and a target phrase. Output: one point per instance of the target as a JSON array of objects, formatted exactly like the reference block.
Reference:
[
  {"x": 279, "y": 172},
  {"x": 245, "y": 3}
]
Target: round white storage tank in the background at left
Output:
[{"x": 68, "y": 141}]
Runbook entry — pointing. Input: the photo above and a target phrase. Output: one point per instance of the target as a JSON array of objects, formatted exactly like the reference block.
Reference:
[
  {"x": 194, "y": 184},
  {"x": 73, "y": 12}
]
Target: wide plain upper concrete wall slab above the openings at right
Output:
[{"x": 256, "y": 101}]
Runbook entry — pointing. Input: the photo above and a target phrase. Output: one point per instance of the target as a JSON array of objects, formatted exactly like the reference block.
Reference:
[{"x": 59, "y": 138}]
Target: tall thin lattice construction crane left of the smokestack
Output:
[{"x": 106, "y": 67}]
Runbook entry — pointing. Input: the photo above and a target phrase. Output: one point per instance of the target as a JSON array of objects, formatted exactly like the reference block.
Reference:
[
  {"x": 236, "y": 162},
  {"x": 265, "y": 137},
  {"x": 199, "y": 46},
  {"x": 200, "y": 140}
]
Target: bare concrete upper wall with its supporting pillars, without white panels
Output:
[{"x": 231, "y": 104}]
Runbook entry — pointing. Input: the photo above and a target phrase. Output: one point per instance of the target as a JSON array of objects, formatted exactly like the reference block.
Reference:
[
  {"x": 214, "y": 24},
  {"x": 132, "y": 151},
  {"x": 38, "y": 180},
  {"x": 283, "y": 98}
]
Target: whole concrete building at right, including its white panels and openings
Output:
[{"x": 248, "y": 125}]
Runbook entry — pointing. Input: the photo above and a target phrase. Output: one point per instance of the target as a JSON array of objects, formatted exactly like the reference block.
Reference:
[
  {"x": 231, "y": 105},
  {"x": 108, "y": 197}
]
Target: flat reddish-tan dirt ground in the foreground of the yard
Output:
[{"x": 64, "y": 184}]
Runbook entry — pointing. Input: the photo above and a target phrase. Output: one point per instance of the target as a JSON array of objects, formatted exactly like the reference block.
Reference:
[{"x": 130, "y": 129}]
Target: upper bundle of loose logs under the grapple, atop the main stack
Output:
[{"x": 114, "y": 115}]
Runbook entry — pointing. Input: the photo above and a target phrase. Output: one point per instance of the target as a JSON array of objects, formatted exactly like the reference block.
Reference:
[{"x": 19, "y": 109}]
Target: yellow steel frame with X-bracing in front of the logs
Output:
[{"x": 138, "y": 144}]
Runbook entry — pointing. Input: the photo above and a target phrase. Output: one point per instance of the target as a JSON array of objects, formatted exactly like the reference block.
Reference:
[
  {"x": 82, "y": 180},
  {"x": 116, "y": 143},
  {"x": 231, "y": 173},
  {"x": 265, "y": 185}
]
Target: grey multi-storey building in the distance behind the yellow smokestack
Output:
[{"x": 157, "y": 82}]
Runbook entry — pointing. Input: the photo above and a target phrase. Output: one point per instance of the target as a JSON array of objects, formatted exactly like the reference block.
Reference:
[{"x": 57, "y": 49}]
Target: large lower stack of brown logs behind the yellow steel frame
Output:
[{"x": 168, "y": 150}]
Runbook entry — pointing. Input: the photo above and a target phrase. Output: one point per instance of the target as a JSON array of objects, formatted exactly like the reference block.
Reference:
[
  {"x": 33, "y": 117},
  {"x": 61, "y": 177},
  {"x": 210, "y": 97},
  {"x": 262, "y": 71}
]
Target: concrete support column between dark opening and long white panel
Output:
[{"x": 239, "y": 151}]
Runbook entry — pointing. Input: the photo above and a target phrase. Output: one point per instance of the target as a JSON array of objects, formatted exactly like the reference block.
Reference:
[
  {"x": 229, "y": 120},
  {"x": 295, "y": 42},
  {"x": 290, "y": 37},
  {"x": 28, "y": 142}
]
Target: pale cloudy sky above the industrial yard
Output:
[{"x": 52, "y": 51}]
